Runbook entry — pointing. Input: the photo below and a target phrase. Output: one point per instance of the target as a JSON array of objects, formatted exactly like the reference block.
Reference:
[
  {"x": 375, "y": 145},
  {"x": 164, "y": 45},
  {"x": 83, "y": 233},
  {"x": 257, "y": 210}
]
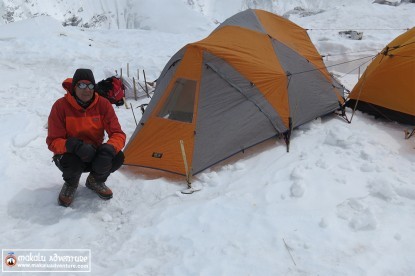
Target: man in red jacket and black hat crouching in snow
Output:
[{"x": 76, "y": 128}]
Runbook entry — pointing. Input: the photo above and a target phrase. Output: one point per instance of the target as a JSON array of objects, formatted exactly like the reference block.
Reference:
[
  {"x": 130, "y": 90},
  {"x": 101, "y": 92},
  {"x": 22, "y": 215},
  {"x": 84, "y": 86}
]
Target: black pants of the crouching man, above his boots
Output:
[{"x": 72, "y": 167}]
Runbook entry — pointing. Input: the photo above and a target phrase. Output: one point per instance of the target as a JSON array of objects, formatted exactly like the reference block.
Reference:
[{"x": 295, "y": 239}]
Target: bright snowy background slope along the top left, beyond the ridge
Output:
[{"x": 108, "y": 14}]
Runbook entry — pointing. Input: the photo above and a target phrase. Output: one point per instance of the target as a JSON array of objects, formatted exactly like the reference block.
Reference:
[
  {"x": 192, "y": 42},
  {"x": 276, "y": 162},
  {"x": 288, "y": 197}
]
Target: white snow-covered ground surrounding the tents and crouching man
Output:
[{"x": 341, "y": 202}]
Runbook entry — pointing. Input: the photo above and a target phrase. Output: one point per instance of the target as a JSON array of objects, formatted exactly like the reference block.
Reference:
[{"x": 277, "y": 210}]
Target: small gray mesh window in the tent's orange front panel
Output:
[{"x": 180, "y": 103}]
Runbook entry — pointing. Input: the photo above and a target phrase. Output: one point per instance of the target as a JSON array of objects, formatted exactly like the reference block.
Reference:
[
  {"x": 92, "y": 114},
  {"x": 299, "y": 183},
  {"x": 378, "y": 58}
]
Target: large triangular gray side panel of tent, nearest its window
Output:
[{"x": 227, "y": 123}]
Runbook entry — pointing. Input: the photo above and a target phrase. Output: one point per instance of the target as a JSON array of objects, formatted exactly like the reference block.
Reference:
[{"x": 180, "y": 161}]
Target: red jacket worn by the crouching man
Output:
[{"x": 68, "y": 119}]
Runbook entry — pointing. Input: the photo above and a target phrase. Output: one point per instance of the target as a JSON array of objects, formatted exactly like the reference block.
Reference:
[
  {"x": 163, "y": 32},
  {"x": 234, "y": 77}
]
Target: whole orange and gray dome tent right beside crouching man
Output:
[{"x": 256, "y": 76}]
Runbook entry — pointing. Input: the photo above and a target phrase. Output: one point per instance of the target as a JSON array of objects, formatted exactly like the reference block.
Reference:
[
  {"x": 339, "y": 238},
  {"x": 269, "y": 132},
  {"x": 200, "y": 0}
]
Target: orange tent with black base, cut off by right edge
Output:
[{"x": 387, "y": 87}]
